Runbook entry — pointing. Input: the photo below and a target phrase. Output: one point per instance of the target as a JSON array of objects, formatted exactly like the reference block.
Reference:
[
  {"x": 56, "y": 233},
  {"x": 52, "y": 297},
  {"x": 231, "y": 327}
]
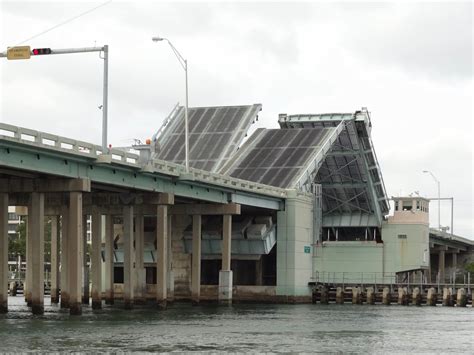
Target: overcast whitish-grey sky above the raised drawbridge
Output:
[{"x": 409, "y": 64}]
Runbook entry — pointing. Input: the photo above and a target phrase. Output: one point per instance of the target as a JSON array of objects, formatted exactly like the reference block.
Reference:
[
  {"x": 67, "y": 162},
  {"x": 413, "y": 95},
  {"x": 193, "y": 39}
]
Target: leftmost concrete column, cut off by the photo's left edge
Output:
[{"x": 3, "y": 253}]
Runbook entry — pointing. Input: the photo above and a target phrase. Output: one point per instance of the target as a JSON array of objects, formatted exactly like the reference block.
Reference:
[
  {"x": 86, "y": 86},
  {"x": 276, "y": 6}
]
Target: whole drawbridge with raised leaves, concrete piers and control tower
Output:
[{"x": 261, "y": 219}]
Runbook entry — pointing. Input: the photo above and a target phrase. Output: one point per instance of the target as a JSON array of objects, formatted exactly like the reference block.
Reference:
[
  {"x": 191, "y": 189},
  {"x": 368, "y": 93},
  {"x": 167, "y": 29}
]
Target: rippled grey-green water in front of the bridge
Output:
[{"x": 241, "y": 328}]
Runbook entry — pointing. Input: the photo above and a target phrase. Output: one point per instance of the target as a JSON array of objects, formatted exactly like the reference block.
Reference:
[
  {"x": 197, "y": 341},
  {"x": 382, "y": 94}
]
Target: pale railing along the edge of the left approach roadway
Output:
[{"x": 67, "y": 145}]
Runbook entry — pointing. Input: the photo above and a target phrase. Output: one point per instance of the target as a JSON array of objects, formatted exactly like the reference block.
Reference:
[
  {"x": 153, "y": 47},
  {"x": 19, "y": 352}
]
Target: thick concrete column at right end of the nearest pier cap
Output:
[{"x": 75, "y": 258}]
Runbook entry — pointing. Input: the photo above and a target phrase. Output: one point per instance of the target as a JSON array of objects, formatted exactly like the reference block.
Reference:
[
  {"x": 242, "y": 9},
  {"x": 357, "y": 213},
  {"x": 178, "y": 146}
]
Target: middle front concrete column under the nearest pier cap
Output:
[{"x": 36, "y": 220}]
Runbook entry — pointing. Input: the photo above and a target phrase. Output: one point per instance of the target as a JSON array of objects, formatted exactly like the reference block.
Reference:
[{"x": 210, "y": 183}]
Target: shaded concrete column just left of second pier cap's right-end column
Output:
[{"x": 140, "y": 282}]
